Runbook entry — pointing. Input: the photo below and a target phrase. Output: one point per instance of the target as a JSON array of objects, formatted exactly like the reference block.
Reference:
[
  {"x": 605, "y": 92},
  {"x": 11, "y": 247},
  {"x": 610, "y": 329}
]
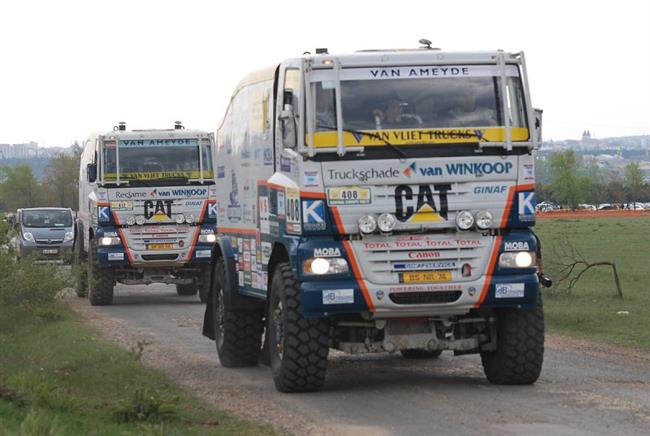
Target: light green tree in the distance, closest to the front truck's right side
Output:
[{"x": 568, "y": 187}]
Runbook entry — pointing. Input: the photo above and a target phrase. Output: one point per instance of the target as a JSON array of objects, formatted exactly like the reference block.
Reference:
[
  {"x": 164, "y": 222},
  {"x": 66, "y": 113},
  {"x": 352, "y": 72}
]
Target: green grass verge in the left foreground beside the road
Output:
[{"x": 58, "y": 377}]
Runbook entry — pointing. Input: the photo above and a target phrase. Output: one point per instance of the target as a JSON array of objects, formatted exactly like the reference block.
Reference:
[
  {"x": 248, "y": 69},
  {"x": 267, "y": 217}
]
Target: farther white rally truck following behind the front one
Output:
[{"x": 146, "y": 211}]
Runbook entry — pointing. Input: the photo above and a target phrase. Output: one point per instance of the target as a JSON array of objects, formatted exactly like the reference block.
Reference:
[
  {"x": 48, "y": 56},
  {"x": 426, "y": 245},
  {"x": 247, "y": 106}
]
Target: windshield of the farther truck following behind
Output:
[{"x": 155, "y": 160}]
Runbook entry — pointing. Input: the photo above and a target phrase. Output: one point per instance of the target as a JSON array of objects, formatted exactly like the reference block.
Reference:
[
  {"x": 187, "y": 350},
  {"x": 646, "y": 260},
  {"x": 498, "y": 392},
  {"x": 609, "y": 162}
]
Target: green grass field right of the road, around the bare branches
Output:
[{"x": 590, "y": 309}]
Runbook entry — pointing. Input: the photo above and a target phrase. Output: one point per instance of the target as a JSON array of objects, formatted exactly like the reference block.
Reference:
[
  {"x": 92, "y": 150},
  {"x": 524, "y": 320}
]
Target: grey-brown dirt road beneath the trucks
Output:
[{"x": 584, "y": 389}]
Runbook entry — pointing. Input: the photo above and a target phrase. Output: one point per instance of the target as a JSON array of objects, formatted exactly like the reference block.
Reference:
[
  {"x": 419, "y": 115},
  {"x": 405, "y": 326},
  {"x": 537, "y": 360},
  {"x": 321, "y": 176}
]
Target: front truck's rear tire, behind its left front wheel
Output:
[{"x": 238, "y": 334}]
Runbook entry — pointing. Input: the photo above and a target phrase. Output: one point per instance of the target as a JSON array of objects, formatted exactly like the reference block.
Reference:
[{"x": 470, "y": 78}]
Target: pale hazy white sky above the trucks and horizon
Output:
[{"x": 68, "y": 68}]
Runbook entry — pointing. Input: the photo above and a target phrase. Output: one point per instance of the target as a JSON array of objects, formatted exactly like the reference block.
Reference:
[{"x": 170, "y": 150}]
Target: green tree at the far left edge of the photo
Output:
[{"x": 19, "y": 188}]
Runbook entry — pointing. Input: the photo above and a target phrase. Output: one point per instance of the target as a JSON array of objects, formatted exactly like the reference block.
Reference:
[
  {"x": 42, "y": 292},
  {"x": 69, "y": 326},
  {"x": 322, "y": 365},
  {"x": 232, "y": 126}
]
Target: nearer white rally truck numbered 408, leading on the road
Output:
[{"x": 380, "y": 201}]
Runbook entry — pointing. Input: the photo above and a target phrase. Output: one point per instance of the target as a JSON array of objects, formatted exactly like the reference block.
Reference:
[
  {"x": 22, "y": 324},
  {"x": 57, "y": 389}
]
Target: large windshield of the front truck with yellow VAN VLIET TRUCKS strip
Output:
[{"x": 432, "y": 106}]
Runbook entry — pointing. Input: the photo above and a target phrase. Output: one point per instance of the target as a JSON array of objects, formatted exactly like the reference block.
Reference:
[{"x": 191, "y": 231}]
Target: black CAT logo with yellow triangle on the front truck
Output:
[{"x": 425, "y": 208}]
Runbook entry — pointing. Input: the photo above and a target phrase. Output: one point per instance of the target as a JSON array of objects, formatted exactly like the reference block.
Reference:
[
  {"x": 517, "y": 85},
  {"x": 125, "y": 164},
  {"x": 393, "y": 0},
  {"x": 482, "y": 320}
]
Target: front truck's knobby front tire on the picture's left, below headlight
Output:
[{"x": 298, "y": 347}]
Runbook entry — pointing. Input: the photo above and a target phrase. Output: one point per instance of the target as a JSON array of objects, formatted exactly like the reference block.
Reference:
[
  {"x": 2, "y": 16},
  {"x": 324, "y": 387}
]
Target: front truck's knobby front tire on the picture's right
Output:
[{"x": 520, "y": 347}]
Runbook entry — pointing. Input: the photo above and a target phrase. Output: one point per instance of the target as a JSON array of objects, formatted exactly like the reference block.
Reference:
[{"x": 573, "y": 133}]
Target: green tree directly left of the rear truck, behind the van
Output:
[{"x": 61, "y": 180}]
